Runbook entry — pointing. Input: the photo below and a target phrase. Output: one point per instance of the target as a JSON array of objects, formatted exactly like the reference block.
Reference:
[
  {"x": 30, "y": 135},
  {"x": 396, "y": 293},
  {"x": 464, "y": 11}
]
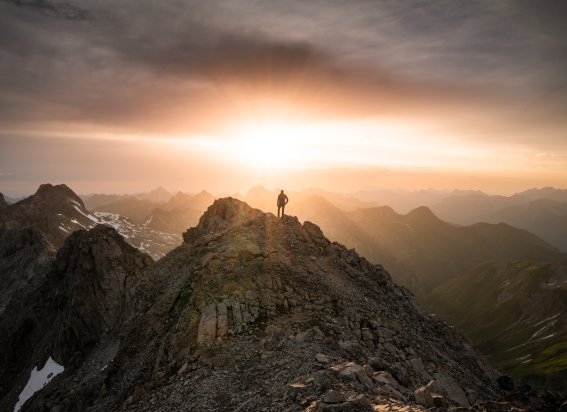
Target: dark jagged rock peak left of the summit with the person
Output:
[{"x": 94, "y": 285}]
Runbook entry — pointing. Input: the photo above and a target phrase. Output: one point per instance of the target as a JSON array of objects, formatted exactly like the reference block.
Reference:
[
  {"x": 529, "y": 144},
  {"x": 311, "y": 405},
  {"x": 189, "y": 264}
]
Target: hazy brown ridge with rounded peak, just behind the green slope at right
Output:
[{"x": 436, "y": 250}]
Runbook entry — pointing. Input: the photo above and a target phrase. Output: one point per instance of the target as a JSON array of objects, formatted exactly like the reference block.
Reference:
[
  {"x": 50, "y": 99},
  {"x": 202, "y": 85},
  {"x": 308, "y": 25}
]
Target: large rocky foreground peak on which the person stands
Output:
[{"x": 257, "y": 313}]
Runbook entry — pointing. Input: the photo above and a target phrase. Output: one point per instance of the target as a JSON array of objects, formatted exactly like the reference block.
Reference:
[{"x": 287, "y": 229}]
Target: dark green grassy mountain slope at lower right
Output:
[{"x": 515, "y": 313}]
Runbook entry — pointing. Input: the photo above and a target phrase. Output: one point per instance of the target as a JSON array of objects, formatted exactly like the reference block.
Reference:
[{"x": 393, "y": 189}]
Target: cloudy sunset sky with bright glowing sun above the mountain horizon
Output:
[{"x": 122, "y": 97}]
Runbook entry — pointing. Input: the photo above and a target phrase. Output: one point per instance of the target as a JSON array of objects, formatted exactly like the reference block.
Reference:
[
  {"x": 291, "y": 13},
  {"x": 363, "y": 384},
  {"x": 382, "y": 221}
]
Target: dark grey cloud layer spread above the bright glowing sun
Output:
[{"x": 186, "y": 66}]
